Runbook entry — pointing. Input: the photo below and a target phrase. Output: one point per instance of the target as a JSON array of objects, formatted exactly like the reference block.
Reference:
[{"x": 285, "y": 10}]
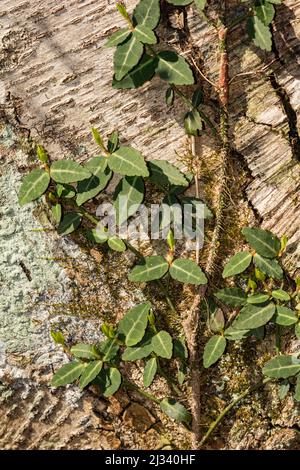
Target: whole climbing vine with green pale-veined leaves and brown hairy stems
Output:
[{"x": 258, "y": 298}]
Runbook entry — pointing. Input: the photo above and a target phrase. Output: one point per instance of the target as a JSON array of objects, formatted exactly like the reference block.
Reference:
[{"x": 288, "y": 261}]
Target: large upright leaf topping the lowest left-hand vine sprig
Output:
[{"x": 133, "y": 325}]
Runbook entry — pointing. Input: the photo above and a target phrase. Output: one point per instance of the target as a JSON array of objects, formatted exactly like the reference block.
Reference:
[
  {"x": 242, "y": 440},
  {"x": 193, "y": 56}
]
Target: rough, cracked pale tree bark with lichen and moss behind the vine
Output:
[{"x": 55, "y": 84}]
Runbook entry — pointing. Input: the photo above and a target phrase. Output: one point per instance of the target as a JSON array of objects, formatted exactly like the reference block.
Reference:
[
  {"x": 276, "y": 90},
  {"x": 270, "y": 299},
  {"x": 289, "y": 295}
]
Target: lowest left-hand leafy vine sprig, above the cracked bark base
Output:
[{"x": 135, "y": 338}]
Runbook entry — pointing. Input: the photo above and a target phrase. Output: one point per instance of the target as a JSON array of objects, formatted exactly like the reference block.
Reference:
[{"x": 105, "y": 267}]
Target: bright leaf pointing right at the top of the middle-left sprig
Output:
[{"x": 128, "y": 161}]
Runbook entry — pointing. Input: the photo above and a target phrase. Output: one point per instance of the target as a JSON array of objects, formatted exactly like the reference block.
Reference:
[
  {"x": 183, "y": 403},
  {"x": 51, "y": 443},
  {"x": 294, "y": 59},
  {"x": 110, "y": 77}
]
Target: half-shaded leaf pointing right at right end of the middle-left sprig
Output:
[{"x": 165, "y": 173}]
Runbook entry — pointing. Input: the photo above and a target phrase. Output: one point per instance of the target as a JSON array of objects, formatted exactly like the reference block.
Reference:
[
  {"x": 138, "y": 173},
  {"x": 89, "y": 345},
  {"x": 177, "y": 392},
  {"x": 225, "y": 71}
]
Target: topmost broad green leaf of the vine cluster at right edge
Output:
[{"x": 264, "y": 242}]
